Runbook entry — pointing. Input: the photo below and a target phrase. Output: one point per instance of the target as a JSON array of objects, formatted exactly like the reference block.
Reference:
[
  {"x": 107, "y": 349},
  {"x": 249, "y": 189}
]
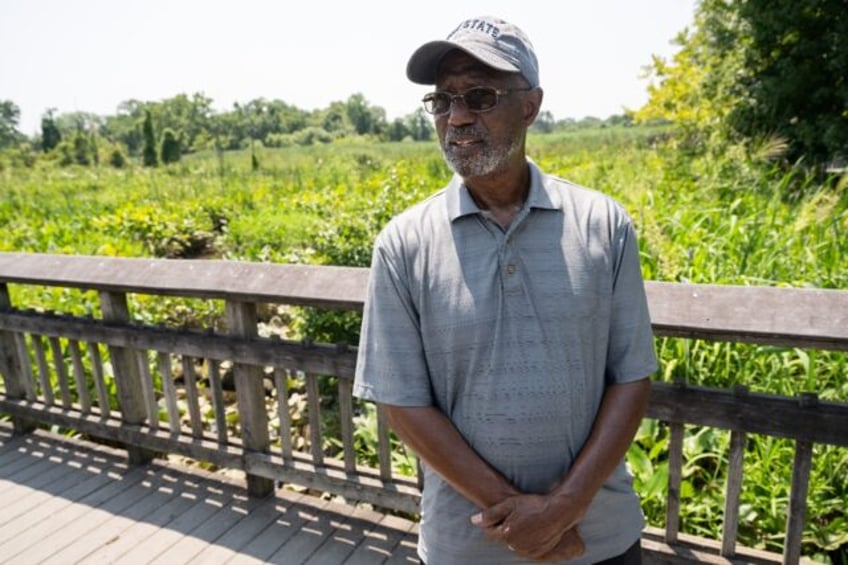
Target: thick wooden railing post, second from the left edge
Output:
[{"x": 127, "y": 376}]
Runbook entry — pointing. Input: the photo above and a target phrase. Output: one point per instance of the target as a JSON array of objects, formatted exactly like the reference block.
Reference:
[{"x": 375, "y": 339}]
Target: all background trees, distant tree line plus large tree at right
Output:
[{"x": 768, "y": 76}]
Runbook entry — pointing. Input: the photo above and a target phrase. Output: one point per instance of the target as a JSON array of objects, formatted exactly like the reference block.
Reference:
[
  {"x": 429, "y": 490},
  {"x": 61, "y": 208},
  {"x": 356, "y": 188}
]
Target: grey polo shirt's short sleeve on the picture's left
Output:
[{"x": 391, "y": 367}]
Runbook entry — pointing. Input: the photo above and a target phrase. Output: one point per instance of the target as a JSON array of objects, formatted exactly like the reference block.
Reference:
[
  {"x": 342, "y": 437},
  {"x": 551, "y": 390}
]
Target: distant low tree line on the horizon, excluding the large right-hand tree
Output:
[{"x": 161, "y": 131}]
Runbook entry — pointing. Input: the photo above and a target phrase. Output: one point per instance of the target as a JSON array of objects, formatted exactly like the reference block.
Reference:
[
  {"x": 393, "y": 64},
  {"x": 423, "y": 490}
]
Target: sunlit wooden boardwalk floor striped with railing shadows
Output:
[{"x": 68, "y": 501}]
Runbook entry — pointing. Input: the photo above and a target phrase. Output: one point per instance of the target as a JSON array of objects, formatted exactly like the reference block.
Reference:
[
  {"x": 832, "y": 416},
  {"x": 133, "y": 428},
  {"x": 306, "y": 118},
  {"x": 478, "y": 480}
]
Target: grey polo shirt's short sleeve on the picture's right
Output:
[{"x": 631, "y": 354}]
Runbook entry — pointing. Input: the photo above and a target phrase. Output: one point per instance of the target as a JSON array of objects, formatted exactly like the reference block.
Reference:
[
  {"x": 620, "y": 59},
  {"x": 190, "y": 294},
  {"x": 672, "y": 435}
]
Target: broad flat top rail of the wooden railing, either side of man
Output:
[{"x": 793, "y": 317}]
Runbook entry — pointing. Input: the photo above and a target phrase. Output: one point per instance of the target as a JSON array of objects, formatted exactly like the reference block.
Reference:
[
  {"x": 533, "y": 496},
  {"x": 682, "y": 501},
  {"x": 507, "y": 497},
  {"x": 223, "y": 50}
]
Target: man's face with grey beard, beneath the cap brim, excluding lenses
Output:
[{"x": 479, "y": 144}]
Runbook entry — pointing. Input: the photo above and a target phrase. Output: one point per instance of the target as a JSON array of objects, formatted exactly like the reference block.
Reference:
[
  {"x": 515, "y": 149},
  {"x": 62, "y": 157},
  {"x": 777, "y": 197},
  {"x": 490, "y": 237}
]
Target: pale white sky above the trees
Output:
[{"x": 91, "y": 55}]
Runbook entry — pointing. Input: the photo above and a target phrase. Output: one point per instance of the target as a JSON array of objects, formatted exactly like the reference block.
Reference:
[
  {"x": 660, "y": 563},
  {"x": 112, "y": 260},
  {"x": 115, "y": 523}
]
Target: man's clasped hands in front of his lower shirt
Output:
[{"x": 536, "y": 526}]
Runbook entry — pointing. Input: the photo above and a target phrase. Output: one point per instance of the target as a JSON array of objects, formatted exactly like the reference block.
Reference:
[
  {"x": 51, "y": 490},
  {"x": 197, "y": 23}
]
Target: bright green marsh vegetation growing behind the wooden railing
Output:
[{"x": 724, "y": 218}]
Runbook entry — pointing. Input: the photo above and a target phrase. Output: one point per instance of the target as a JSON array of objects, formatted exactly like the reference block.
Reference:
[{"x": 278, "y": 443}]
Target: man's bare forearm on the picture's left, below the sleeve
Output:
[{"x": 437, "y": 441}]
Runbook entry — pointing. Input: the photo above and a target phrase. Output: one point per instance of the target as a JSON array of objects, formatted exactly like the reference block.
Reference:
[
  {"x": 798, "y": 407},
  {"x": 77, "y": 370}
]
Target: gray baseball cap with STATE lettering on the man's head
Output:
[{"x": 490, "y": 40}]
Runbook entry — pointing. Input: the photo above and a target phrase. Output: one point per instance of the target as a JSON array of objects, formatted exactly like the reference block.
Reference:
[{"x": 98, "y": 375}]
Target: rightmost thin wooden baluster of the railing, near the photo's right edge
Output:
[{"x": 798, "y": 495}]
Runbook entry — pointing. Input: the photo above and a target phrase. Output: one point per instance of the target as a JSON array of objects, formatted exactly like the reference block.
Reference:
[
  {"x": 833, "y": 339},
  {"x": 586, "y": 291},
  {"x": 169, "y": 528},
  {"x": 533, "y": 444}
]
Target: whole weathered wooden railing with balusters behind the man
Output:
[{"x": 112, "y": 377}]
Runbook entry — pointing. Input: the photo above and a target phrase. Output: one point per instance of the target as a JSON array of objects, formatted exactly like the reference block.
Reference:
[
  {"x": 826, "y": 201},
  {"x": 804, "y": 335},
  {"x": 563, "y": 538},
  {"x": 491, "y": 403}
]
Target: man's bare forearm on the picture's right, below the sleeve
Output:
[{"x": 621, "y": 411}]
